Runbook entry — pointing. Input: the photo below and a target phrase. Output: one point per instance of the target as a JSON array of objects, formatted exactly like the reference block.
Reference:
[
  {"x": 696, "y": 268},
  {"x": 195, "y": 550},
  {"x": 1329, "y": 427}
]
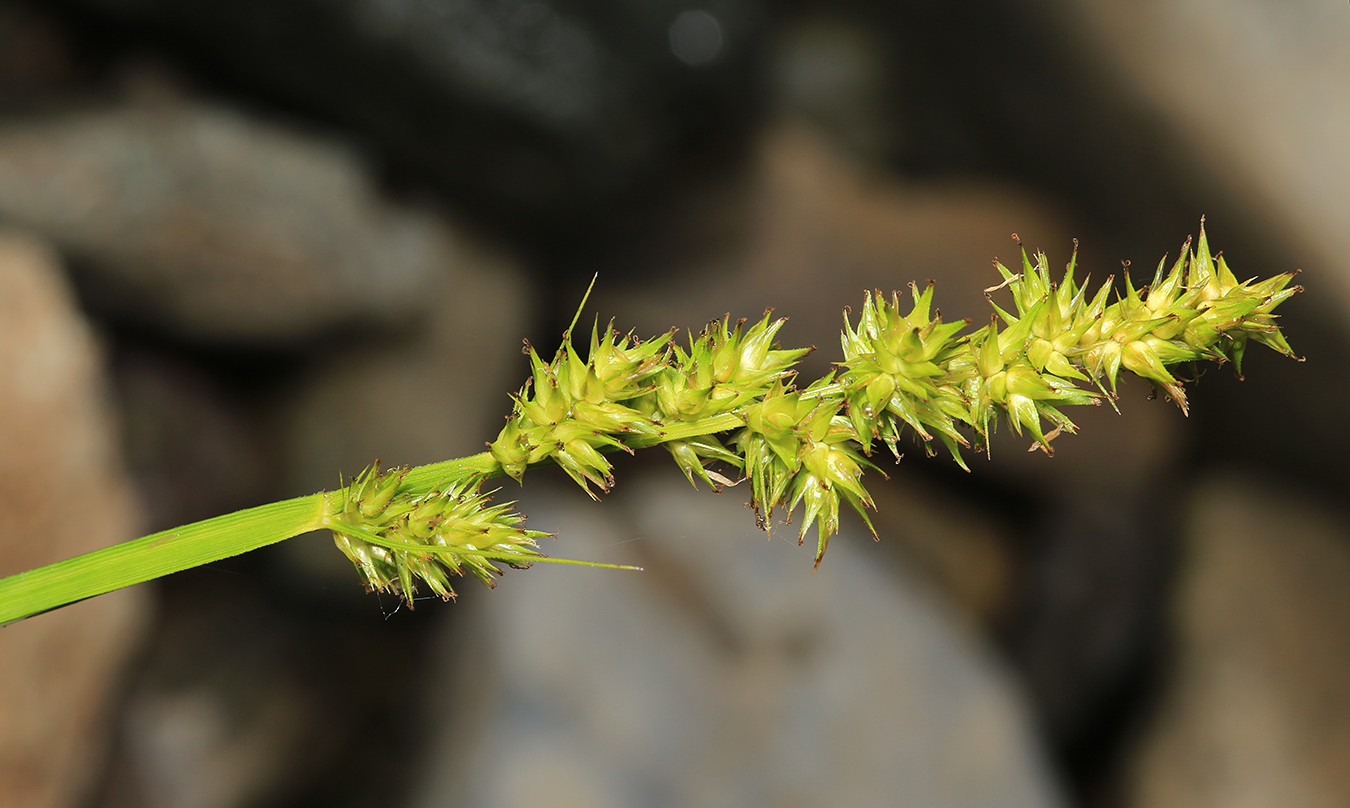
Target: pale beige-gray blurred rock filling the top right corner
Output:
[{"x": 1256, "y": 92}]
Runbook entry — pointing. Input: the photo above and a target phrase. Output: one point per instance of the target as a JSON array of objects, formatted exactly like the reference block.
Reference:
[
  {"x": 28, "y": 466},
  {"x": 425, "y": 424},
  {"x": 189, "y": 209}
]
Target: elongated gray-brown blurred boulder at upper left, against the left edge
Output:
[{"x": 194, "y": 219}]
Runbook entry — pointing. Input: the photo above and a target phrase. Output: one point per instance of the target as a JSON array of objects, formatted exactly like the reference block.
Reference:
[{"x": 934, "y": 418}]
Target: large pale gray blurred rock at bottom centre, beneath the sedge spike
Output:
[{"x": 724, "y": 675}]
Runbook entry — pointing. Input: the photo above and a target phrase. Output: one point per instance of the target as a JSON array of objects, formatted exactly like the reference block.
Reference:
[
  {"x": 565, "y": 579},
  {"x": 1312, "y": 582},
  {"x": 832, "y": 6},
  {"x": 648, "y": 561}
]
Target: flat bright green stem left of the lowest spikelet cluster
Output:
[{"x": 157, "y": 555}]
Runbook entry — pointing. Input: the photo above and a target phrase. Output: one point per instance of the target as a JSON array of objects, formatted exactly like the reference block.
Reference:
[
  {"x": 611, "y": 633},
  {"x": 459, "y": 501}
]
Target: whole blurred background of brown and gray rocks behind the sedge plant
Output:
[{"x": 252, "y": 246}]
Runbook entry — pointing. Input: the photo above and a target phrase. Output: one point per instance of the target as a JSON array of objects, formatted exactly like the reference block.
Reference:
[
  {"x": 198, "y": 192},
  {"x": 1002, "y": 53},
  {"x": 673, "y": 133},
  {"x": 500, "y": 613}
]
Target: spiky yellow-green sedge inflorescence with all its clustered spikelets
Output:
[{"x": 728, "y": 404}]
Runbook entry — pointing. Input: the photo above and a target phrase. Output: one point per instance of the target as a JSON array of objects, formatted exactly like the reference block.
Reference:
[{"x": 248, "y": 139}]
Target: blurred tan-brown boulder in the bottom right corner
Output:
[{"x": 1258, "y": 699}]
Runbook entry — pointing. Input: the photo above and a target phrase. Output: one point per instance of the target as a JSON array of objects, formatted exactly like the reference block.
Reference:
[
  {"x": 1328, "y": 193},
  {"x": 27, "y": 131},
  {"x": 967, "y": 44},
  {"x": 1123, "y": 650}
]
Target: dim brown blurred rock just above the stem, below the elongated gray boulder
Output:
[{"x": 439, "y": 391}]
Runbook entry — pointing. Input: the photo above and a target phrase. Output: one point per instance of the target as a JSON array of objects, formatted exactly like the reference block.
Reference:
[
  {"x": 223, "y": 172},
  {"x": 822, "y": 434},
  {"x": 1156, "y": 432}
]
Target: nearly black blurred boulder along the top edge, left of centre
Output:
[{"x": 542, "y": 115}]
